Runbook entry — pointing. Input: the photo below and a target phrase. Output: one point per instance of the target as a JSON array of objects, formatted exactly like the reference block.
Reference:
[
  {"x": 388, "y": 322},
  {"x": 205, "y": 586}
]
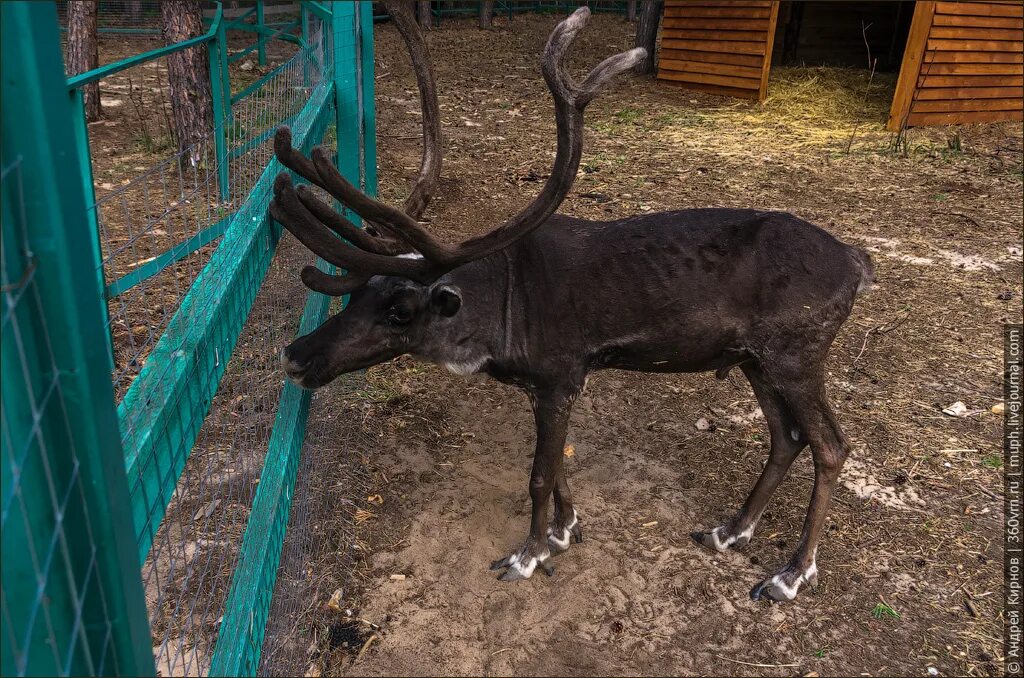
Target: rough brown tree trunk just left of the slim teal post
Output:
[{"x": 188, "y": 76}]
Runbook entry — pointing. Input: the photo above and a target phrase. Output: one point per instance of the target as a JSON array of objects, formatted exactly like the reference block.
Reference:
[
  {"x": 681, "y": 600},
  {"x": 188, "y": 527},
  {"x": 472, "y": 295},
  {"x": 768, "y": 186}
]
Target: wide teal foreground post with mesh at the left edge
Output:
[{"x": 81, "y": 610}]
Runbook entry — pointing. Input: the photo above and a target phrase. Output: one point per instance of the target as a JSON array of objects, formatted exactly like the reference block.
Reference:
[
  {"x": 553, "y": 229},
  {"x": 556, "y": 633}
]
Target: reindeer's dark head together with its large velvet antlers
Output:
[{"x": 395, "y": 268}]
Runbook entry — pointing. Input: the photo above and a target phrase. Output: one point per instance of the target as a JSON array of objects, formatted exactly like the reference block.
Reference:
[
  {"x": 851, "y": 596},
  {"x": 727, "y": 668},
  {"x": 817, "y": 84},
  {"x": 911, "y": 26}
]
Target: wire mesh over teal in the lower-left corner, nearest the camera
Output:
[{"x": 45, "y": 506}]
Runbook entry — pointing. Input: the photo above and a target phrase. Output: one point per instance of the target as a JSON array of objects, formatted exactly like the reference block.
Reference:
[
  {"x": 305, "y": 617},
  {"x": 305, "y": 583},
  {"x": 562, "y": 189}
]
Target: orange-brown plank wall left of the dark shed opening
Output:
[{"x": 721, "y": 48}]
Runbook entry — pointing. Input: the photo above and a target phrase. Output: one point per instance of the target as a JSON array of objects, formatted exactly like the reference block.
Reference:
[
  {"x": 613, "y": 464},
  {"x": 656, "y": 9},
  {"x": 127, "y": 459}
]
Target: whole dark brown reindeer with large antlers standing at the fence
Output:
[{"x": 544, "y": 300}]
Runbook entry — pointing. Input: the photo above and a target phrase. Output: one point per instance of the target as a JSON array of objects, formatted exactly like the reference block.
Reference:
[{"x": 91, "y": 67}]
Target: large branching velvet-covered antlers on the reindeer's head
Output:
[{"x": 364, "y": 257}]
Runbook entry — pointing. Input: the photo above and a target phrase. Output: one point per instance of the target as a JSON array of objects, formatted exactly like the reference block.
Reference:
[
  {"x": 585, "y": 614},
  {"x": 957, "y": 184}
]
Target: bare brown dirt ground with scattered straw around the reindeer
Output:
[{"x": 912, "y": 565}]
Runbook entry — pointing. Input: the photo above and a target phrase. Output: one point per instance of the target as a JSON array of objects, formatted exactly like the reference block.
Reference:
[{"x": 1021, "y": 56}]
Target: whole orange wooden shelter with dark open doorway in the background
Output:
[{"x": 958, "y": 62}]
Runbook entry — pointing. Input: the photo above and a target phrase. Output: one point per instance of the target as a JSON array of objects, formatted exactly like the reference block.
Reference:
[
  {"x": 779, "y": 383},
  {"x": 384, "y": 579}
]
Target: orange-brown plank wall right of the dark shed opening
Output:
[{"x": 964, "y": 63}]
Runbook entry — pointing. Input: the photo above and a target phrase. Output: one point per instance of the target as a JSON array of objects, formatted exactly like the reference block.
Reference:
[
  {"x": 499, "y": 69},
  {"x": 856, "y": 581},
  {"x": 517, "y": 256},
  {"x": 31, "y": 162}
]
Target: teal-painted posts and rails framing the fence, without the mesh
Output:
[{"x": 47, "y": 140}]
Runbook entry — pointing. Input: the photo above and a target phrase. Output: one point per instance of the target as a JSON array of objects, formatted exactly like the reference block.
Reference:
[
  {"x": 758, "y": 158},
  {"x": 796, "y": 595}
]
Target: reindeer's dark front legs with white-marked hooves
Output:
[{"x": 551, "y": 411}]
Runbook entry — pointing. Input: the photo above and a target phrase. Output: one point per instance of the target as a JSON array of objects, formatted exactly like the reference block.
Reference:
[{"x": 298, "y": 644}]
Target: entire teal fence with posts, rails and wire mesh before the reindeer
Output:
[{"x": 96, "y": 481}]
